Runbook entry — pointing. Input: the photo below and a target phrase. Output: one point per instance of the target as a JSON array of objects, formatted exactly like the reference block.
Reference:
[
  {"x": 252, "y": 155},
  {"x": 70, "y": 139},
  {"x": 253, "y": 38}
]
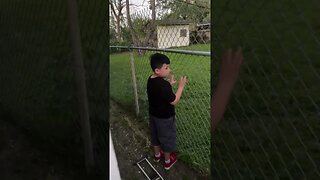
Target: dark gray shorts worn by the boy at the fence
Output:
[{"x": 163, "y": 133}]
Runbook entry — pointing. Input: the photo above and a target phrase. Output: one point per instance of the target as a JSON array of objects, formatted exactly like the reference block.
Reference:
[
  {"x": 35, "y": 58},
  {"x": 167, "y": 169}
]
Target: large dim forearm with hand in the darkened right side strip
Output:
[{"x": 228, "y": 75}]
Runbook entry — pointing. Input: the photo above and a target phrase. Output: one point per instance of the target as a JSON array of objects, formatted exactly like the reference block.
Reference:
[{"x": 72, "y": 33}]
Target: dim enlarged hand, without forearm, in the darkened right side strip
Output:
[{"x": 230, "y": 67}]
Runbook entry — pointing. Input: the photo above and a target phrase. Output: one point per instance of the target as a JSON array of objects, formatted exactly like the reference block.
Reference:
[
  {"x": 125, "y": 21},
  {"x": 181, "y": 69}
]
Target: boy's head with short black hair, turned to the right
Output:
[{"x": 160, "y": 64}]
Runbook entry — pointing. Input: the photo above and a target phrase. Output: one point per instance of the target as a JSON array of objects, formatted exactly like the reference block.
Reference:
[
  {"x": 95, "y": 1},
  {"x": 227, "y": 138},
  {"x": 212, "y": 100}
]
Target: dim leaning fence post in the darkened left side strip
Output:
[{"x": 81, "y": 85}]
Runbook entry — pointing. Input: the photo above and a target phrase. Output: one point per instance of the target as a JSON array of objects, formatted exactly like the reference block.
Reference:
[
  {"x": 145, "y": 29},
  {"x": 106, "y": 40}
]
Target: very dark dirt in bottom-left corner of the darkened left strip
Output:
[{"x": 20, "y": 159}]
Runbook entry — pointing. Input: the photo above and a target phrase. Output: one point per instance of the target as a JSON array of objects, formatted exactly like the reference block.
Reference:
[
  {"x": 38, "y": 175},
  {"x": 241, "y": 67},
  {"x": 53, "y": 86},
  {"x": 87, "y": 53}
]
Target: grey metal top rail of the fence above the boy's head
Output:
[{"x": 200, "y": 53}]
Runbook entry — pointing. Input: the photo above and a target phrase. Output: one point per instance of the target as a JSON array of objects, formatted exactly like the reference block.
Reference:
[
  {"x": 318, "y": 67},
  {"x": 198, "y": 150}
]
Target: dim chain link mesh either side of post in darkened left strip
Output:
[{"x": 37, "y": 75}]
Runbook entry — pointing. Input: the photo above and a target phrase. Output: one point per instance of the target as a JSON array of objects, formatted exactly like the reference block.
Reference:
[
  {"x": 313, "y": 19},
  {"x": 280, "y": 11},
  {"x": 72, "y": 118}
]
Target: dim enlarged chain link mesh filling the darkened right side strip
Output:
[{"x": 271, "y": 128}]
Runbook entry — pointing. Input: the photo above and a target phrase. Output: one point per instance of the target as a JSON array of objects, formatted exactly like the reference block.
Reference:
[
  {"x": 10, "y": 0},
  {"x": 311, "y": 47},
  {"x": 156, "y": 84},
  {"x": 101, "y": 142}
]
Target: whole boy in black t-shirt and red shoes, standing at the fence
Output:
[{"x": 161, "y": 109}]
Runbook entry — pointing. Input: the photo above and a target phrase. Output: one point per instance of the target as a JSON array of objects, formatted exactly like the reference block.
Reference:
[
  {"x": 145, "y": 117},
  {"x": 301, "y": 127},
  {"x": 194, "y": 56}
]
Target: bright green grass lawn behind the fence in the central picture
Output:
[{"x": 193, "y": 109}]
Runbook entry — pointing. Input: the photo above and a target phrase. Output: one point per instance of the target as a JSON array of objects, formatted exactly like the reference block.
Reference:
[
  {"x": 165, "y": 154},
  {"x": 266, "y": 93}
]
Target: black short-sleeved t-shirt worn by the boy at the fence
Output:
[{"x": 160, "y": 95}]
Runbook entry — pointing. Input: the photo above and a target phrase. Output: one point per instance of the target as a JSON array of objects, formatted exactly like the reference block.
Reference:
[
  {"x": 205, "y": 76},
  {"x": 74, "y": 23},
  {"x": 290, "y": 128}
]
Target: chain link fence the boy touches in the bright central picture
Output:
[{"x": 187, "y": 44}]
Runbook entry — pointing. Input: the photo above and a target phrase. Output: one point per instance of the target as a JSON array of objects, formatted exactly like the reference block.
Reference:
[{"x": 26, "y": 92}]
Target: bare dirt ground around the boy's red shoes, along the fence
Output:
[{"x": 131, "y": 142}]
